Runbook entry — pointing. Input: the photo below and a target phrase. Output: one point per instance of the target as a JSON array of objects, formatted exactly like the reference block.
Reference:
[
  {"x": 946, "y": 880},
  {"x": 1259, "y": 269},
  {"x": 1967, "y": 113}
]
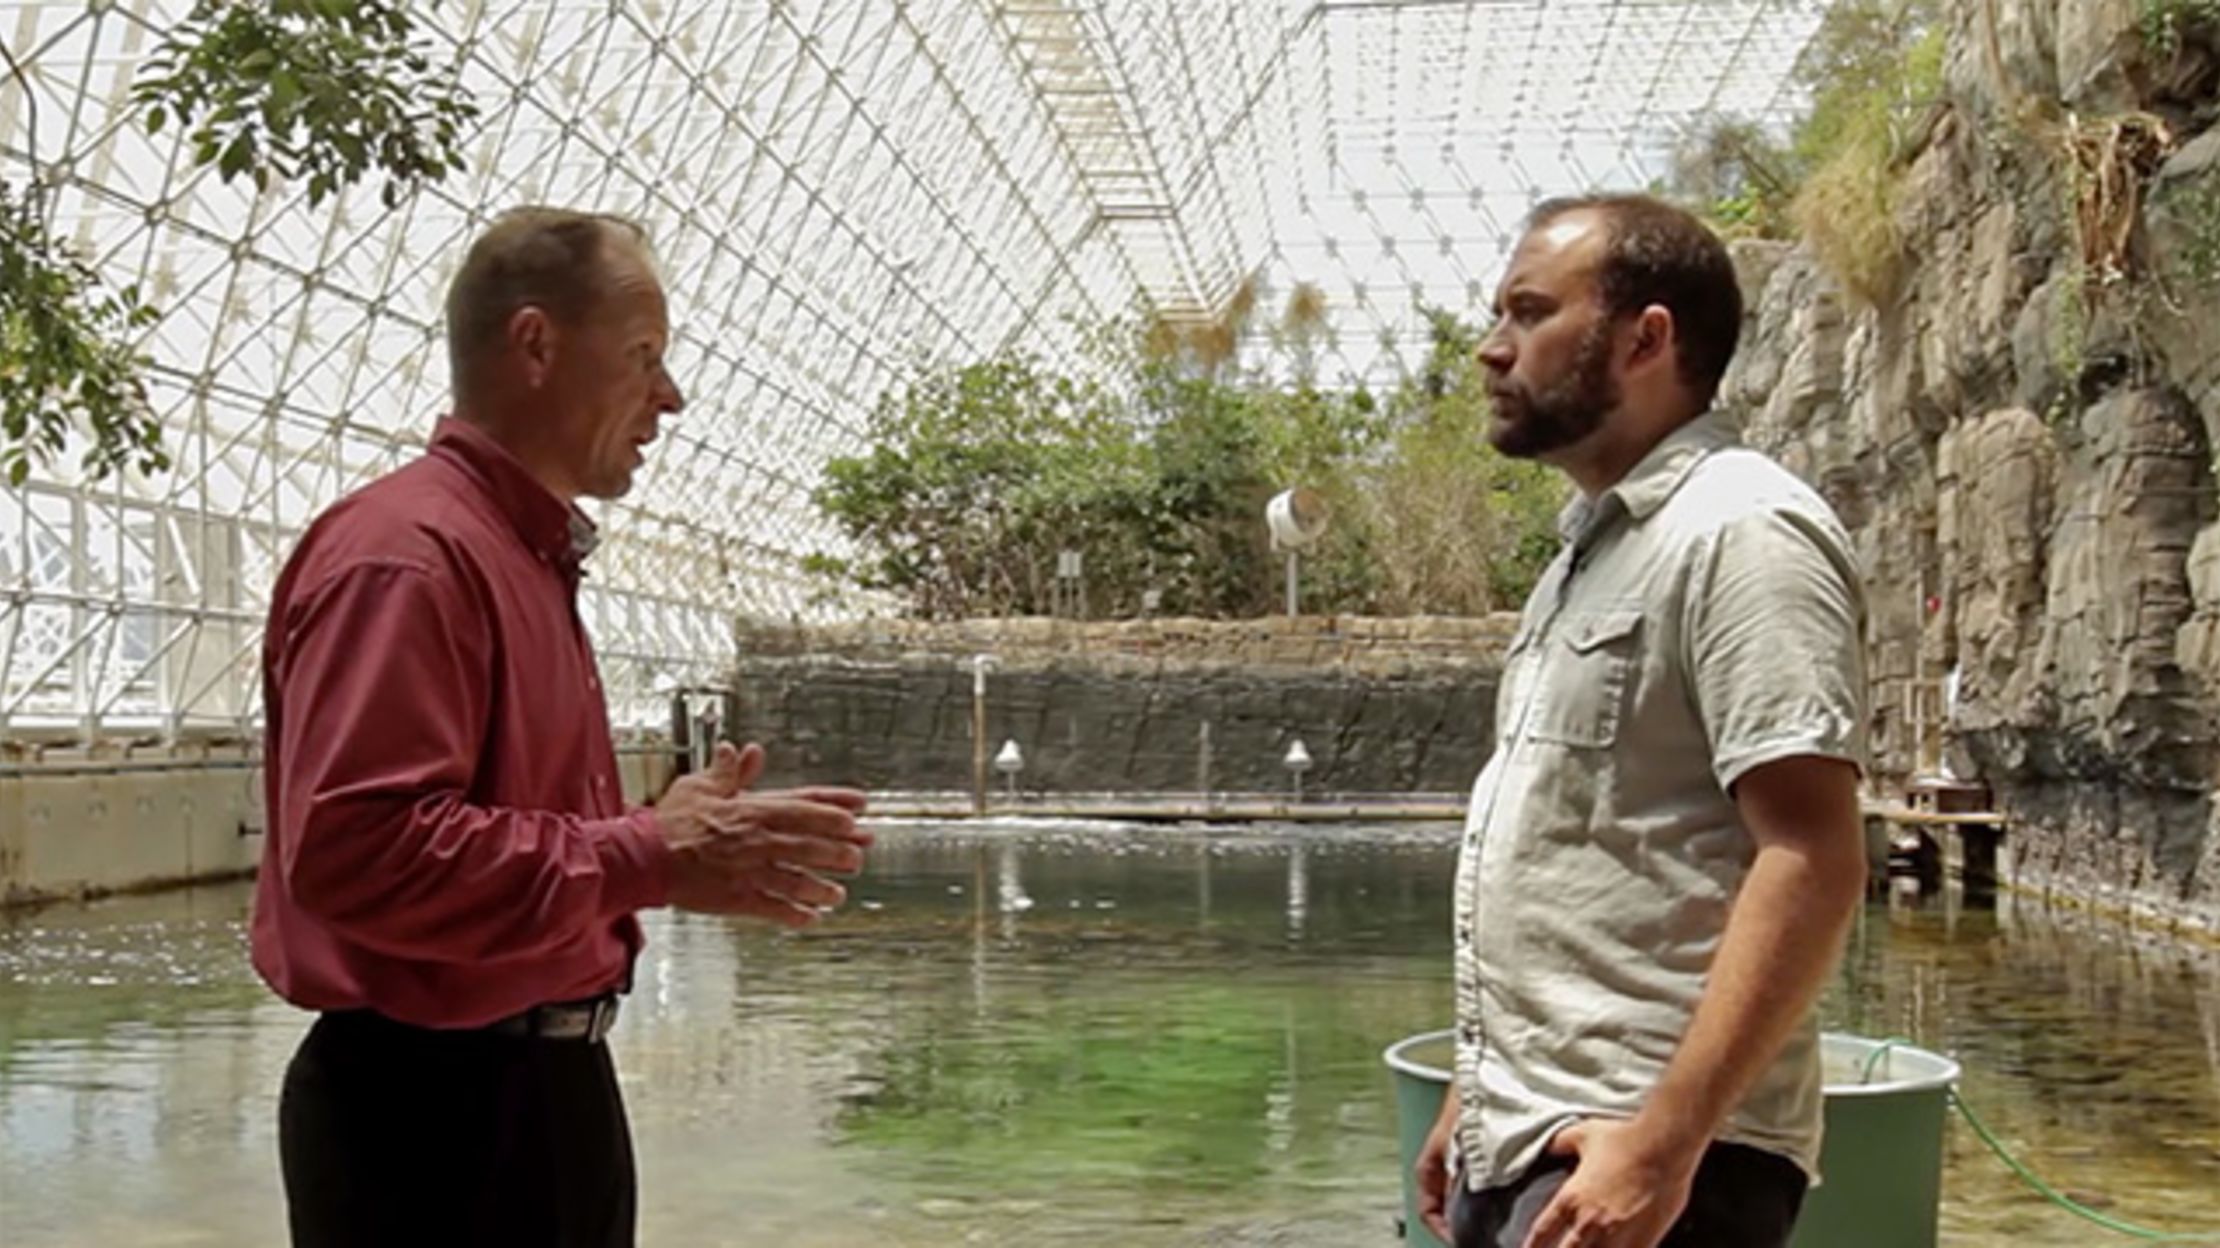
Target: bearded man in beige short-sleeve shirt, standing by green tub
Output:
[{"x": 1664, "y": 854}]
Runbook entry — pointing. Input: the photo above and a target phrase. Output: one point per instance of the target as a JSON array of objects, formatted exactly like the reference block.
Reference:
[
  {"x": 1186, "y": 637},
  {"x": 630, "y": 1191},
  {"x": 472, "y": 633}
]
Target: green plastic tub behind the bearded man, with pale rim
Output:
[{"x": 1881, "y": 1163}]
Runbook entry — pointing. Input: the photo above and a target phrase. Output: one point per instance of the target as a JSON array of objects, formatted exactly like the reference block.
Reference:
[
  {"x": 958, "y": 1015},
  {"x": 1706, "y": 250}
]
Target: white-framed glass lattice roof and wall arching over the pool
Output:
[{"x": 836, "y": 192}]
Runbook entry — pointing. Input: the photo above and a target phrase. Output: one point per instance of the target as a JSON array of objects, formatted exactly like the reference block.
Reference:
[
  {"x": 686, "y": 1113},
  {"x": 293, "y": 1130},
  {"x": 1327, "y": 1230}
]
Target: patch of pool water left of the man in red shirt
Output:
[{"x": 103, "y": 1116}]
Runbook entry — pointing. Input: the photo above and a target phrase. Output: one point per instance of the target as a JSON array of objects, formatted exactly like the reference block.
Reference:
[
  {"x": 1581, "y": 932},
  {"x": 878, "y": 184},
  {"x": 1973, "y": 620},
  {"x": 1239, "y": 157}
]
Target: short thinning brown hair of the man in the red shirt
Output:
[{"x": 532, "y": 256}]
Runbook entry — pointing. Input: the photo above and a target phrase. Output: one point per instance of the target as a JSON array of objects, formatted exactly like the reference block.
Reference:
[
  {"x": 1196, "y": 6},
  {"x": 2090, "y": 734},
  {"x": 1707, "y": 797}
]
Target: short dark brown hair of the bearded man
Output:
[{"x": 1659, "y": 254}]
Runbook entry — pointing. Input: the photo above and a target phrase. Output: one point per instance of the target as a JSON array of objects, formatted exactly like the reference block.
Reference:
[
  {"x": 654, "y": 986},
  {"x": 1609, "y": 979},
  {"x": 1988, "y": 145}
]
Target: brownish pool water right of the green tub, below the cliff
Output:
[{"x": 2090, "y": 1047}]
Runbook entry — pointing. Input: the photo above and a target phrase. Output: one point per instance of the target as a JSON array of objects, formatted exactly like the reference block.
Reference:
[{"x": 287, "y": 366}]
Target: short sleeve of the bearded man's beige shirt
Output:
[{"x": 1777, "y": 643}]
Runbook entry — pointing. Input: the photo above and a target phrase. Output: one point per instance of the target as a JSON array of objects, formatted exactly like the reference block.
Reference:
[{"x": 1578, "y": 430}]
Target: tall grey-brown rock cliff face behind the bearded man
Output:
[{"x": 2030, "y": 476}]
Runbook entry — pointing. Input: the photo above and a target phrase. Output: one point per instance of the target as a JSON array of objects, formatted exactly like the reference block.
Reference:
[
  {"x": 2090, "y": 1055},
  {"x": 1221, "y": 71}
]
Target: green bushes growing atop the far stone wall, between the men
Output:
[{"x": 1158, "y": 474}]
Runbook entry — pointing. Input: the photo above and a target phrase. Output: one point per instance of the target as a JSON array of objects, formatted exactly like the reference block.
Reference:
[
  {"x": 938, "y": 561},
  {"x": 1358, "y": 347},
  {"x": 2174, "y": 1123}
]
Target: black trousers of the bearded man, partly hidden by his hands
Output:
[{"x": 1744, "y": 1198}]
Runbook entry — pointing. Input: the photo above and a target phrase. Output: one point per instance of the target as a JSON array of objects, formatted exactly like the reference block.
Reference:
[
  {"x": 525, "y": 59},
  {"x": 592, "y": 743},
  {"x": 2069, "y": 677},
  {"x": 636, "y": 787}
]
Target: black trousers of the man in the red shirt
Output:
[{"x": 410, "y": 1138}]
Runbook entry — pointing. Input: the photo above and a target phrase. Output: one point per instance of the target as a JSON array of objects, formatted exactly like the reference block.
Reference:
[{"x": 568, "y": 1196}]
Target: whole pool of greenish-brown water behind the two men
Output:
[{"x": 1064, "y": 1036}]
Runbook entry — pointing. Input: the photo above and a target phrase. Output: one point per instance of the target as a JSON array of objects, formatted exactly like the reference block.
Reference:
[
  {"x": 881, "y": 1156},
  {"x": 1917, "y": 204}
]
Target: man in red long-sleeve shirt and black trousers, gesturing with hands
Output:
[{"x": 452, "y": 872}]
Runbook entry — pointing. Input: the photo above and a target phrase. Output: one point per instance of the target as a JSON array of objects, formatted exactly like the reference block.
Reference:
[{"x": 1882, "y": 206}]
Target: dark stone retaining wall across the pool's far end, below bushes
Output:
[{"x": 1129, "y": 707}]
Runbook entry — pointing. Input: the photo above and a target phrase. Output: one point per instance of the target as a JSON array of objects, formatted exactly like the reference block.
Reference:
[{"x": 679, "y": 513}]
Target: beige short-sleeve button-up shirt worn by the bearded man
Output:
[{"x": 1704, "y": 618}]
